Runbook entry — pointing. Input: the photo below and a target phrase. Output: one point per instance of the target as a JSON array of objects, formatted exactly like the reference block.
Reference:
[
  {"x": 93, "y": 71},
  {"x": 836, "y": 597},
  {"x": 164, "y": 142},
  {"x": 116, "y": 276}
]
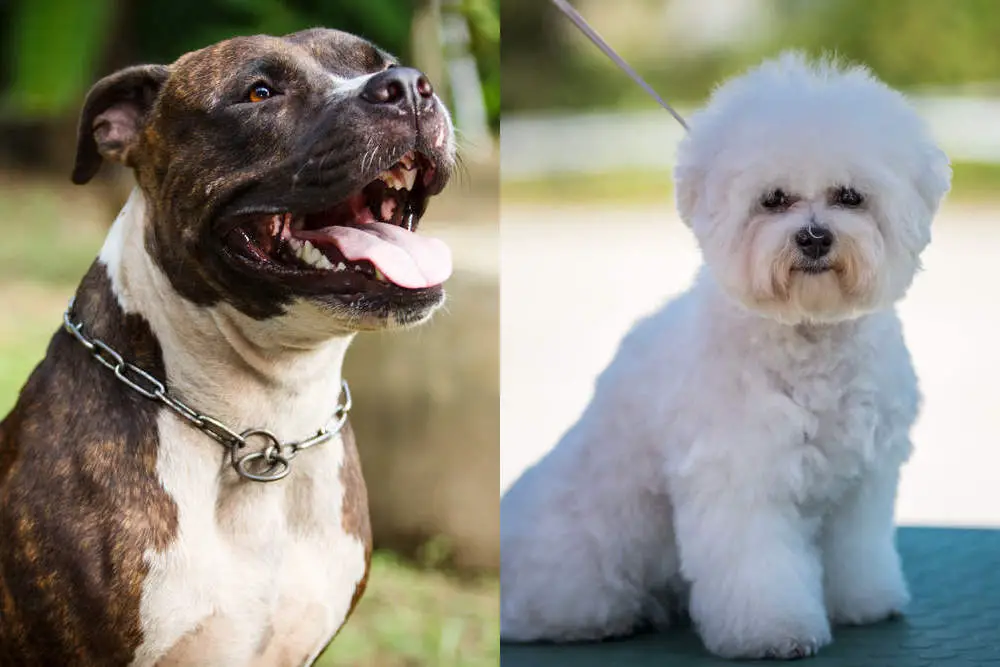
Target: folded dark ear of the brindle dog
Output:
[{"x": 113, "y": 116}]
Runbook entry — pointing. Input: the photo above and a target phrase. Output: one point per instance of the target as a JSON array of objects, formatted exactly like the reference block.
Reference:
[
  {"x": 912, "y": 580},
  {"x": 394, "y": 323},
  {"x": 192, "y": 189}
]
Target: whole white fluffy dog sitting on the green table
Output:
[{"x": 740, "y": 457}]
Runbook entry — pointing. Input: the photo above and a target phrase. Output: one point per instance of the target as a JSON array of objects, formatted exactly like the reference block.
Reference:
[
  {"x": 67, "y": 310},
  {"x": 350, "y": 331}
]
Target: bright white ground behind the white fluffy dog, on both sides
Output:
[{"x": 574, "y": 280}]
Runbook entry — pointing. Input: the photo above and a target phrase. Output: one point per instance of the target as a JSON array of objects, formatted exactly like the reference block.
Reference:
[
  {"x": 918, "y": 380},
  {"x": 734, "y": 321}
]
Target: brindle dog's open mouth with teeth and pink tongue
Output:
[{"x": 371, "y": 235}]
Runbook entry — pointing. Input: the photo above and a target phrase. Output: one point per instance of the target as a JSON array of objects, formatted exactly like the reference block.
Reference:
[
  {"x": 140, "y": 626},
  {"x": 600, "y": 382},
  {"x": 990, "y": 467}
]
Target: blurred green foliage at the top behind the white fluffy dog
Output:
[{"x": 908, "y": 44}]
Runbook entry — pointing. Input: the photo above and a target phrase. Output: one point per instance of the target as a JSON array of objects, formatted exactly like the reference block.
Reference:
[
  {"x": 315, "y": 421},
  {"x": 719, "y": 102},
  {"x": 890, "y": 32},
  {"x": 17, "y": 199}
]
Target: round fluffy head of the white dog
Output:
[{"x": 811, "y": 190}]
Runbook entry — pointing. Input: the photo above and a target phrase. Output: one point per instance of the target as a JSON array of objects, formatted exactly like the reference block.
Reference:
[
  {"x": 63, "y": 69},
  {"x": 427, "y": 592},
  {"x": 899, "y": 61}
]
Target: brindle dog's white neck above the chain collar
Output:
[{"x": 283, "y": 374}]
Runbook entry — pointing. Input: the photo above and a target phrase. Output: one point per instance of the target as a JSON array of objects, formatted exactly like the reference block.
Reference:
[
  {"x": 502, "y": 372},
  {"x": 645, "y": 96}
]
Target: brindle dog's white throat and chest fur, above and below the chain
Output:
[{"x": 258, "y": 574}]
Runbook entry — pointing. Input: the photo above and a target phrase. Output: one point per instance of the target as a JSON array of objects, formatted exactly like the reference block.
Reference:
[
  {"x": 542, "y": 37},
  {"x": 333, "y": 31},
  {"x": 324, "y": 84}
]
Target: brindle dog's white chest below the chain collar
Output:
[{"x": 259, "y": 573}]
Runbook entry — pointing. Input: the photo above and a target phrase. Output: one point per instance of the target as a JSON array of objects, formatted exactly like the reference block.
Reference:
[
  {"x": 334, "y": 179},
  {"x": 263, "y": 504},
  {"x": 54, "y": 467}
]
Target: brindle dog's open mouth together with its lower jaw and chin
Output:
[{"x": 360, "y": 257}]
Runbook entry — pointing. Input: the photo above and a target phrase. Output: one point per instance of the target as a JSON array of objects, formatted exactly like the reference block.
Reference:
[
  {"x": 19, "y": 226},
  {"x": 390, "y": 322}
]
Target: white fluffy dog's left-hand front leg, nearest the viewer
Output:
[{"x": 750, "y": 557}]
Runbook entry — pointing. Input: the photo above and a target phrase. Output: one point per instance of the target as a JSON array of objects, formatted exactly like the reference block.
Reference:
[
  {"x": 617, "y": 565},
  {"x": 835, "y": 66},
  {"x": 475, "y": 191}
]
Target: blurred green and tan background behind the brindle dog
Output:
[{"x": 425, "y": 401}]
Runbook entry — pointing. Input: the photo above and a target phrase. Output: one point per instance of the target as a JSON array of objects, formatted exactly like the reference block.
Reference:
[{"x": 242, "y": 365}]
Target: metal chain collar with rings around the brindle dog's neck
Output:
[{"x": 269, "y": 464}]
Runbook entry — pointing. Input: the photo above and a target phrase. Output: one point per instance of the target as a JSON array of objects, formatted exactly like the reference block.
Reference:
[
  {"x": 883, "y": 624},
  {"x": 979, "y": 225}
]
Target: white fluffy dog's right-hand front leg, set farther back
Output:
[{"x": 864, "y": 581}]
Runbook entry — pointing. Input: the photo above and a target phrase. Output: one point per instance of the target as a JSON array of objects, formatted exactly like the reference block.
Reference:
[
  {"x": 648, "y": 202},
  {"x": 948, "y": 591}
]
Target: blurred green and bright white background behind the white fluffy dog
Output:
[{"x": 590, "y": 240}]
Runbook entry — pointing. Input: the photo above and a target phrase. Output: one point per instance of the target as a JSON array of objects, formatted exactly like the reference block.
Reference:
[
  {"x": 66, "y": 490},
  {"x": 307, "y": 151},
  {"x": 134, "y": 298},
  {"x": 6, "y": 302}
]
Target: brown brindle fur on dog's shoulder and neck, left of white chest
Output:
[{"x": 80, "y": 501}]
